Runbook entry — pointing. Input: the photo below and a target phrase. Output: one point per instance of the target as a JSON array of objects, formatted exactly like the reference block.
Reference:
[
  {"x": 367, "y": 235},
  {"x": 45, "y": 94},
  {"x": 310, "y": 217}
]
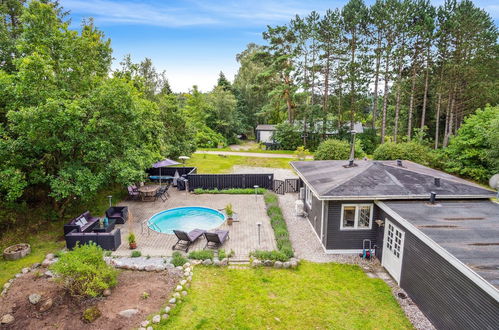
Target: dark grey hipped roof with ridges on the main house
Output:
[{"x": 383, "y": 180}]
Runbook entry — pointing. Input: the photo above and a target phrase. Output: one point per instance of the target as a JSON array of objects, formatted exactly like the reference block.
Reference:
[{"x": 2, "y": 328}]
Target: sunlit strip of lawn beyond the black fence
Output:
[{"x": 207, "y": 164}]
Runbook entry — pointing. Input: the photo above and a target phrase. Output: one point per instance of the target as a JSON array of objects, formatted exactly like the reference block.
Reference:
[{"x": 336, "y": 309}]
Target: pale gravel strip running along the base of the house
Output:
[{"x": 307, "y": 246}]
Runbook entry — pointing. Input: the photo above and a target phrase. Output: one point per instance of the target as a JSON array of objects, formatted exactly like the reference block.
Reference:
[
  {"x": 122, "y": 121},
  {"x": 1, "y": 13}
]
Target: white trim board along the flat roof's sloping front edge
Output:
[{"x": 458, "y": 264}]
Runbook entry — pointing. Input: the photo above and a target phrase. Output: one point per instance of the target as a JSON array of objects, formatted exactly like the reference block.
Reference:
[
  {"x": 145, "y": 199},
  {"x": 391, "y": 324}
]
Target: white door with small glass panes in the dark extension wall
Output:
[{"x": 393, "y": 248}]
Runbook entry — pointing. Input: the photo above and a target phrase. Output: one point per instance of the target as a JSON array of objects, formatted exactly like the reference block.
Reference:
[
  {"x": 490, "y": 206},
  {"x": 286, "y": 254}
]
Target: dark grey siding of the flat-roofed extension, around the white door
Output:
[{"x": 445, "y": 295}]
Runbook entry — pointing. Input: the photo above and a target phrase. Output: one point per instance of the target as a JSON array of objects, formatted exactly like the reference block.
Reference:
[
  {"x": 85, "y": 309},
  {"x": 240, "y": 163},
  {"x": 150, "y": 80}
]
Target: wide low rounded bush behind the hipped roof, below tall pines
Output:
[{"x": 412, "y": 151}]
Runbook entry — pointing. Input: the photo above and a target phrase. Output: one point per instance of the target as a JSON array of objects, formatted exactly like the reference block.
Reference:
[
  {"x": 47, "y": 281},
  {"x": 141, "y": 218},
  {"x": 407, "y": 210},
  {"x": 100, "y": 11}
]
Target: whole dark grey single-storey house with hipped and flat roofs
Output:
[{"x": 436, "y": 234}]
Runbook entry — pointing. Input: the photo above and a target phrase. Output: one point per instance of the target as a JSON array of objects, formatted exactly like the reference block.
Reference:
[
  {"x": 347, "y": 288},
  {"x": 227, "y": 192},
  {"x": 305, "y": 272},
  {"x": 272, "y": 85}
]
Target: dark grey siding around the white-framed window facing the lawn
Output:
[{"x": 347, "y": 239}]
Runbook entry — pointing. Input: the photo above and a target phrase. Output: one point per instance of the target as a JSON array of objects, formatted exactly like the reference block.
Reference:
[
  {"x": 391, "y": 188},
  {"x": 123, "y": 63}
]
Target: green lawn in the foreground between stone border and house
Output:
[{"x": 315, "y": 296}]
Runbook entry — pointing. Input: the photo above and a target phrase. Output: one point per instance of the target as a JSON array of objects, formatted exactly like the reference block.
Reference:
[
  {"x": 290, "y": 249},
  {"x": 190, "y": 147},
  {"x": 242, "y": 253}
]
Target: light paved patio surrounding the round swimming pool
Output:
[{"x": 243, "y": 234}]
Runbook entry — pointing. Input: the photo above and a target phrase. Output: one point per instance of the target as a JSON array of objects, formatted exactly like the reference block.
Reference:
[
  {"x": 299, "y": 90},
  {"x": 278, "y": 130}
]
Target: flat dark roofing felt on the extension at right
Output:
[{"x": 468, "y": 229}]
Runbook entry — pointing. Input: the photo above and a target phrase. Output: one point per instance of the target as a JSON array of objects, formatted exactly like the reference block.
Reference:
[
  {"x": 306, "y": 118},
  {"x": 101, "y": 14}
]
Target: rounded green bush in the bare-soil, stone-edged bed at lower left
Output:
[{"x": 83, "y": 271}]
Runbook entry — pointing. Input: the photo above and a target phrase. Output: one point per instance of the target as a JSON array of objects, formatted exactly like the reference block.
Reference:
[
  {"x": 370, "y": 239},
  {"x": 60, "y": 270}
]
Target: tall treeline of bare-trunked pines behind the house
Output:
[{"x": 402, "y": 67}]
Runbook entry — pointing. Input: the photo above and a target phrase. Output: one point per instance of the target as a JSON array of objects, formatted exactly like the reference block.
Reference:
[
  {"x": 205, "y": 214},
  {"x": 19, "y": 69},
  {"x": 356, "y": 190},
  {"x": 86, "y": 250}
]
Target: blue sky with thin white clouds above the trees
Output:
[{"x": 193, "y": 40}]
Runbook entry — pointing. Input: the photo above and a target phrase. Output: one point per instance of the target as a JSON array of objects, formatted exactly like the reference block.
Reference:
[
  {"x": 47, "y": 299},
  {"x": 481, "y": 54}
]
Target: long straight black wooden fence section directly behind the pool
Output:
[{"x": 227, "y": 181}]
